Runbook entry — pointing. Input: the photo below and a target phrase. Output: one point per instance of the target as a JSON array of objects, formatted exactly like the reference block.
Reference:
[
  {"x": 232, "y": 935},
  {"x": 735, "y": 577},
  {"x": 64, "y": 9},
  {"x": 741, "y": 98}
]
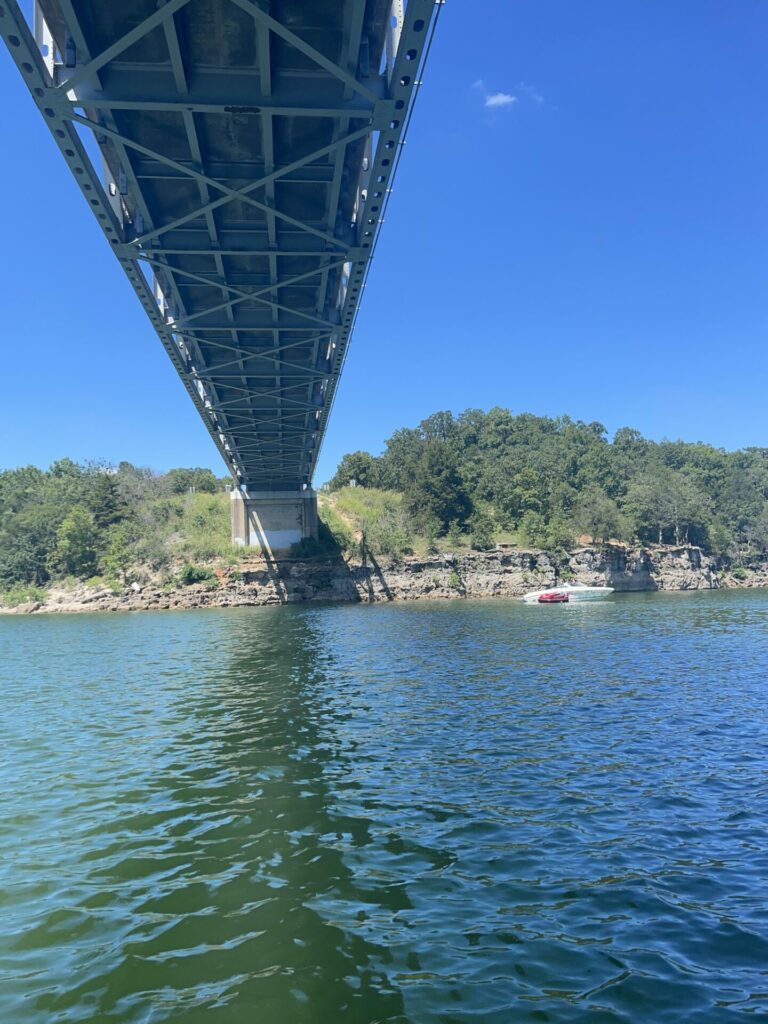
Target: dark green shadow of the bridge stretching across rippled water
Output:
[{"x": 228, "y": 869}]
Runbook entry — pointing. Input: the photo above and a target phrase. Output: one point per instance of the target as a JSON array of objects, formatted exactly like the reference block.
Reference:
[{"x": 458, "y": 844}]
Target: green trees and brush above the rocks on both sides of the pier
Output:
[{"x": 476, "y": 478}]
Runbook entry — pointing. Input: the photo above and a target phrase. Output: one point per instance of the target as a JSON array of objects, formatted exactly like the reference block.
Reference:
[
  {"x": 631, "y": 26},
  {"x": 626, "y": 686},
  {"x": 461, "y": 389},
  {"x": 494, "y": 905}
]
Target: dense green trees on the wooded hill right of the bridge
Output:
[{"x": 550, "y": 481}]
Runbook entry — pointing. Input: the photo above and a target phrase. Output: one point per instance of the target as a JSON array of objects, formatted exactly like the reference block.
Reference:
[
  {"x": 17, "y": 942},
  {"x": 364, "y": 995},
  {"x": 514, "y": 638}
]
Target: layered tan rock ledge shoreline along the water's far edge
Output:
[{"x": 503, "y": 573}]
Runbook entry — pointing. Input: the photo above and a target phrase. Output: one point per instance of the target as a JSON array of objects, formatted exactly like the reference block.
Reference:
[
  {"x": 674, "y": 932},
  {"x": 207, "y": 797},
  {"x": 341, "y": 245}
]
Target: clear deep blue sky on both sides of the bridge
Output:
[{"x": 579, "y": 226}]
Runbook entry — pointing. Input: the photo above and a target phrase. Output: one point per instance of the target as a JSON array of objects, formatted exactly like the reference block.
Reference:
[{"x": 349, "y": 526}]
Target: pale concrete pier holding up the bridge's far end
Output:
[{"x": 274, "y": 521}]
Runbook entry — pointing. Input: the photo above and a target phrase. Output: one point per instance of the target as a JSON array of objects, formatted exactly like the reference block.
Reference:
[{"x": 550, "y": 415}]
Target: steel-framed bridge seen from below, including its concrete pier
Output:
[{"x": 239, "y": 156}]
